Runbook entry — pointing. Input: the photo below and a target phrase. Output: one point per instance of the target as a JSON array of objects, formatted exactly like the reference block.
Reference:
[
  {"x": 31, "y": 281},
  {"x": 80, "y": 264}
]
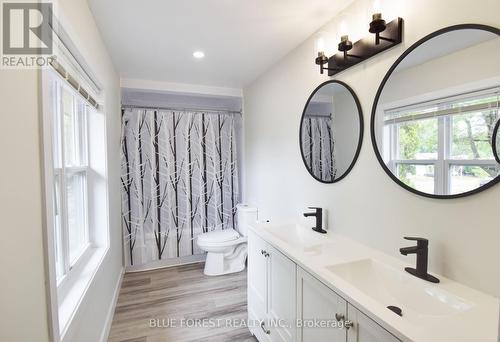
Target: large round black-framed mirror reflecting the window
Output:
[{"x": 435, "y": 110}]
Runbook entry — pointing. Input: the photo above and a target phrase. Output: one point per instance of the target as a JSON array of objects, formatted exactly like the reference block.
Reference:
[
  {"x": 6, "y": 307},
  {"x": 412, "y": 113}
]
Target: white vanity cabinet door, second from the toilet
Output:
[{"x": 282, "y": 296}]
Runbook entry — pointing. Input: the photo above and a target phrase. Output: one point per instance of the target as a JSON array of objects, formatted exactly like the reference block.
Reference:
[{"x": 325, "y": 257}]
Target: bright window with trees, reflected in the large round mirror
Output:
[{"x": 443, "y": 147}]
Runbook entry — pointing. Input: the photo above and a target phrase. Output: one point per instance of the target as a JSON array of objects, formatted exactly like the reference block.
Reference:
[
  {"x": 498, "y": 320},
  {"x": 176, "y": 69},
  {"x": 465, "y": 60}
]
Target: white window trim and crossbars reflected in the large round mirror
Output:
[{"x": 442, "y": 181}]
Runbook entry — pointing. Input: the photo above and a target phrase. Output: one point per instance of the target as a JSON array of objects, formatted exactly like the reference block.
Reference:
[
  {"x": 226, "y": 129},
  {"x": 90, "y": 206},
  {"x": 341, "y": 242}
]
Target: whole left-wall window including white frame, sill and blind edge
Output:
[{"x": 76, "y": 186}]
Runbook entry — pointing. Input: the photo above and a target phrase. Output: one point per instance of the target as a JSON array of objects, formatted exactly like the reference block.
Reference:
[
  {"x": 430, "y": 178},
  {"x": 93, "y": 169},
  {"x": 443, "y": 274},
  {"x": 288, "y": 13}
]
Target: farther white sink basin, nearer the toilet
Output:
[{"x": 297, "y": 236}]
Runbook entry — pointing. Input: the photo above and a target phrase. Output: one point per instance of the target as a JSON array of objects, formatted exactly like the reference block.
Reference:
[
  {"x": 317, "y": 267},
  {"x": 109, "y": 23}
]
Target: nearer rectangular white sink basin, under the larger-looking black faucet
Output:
[{"x": 390, "y": 286}]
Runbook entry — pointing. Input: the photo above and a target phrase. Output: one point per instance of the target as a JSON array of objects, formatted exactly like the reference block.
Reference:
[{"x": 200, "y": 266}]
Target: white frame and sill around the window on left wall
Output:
[{"x": 65, "y": 297}]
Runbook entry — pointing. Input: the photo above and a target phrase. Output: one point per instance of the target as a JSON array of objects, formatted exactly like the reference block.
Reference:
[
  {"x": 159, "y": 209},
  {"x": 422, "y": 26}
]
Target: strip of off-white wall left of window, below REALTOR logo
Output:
[{"x": 22, "y": 289}]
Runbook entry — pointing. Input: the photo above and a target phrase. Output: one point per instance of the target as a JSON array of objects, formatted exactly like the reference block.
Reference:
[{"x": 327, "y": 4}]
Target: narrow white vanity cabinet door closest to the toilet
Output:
[{"x": 257, "y": 283}]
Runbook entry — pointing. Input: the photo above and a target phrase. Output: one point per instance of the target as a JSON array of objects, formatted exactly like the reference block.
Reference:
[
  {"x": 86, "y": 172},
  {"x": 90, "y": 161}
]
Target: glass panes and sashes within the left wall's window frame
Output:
[{"x": 70, "y": 157}]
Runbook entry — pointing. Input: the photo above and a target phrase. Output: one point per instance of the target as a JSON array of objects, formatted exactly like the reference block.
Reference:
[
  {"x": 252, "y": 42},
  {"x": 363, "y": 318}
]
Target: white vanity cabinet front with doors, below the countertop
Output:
[{"x": 281, "y": 292}]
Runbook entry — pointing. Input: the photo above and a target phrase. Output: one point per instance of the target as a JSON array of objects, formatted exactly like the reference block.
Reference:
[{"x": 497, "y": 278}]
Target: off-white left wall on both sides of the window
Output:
[{"x": 22, "y": 289}]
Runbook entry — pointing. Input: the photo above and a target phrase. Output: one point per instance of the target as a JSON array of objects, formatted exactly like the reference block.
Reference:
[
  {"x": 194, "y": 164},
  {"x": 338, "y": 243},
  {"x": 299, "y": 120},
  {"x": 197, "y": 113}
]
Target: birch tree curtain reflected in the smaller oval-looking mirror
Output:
[{"x": 319, "y": 147}]
